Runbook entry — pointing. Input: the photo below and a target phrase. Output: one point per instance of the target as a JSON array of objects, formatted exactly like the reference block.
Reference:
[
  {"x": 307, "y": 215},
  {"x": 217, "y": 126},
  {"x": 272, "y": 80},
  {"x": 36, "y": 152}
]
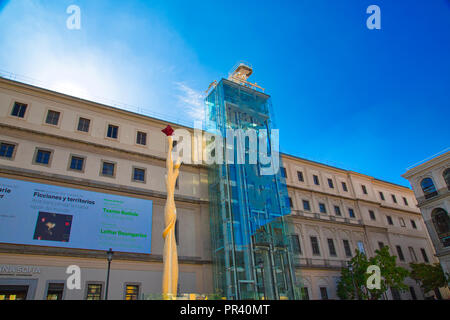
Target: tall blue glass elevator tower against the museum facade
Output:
[{"x": 251, "y": 247}]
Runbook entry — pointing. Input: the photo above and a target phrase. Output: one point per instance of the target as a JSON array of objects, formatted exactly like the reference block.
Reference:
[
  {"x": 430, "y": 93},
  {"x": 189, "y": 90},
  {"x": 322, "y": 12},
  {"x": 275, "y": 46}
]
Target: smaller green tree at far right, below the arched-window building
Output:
[{"x": 430, "y": 276}]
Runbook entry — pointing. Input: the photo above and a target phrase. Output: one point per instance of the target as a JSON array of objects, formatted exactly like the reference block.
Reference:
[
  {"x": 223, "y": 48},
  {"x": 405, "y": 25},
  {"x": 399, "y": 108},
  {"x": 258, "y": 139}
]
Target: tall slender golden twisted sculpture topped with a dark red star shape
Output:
[{"x": 170, "y": 256}]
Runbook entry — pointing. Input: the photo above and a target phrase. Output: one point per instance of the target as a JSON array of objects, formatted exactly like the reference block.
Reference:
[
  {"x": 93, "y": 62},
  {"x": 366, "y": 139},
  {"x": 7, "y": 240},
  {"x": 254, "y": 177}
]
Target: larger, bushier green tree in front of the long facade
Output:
[{"x": 353, "y": 283}]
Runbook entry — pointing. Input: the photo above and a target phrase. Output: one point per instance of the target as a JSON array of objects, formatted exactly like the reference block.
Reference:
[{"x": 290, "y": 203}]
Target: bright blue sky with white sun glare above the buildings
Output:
[{"x": 372, "y": 101}]
